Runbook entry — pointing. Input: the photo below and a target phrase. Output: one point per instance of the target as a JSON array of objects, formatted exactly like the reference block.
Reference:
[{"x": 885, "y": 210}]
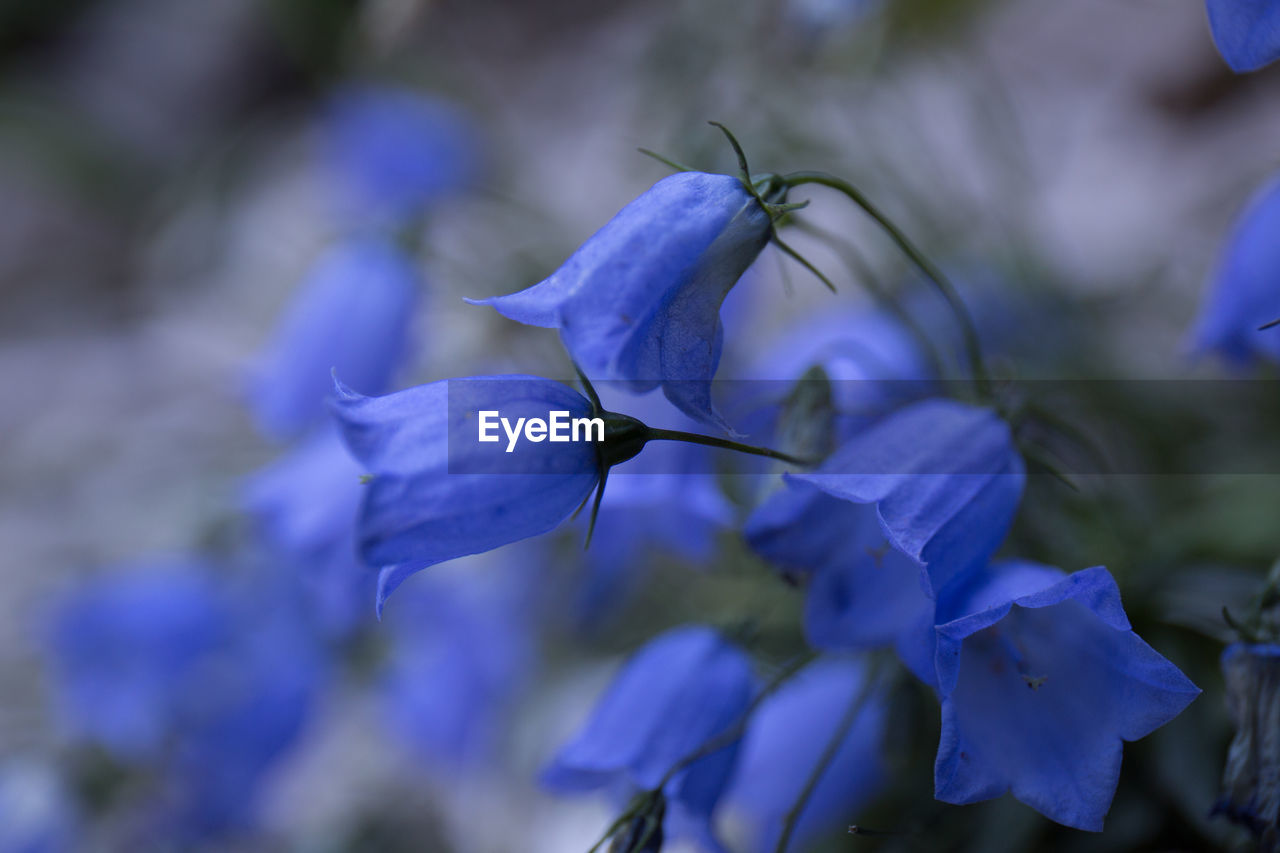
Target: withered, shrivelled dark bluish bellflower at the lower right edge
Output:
[{"x": 1251, "y": 795}]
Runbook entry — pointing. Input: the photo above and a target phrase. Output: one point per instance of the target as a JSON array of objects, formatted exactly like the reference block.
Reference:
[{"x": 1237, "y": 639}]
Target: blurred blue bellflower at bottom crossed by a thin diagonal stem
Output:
[{"x": 787, "y": 738}]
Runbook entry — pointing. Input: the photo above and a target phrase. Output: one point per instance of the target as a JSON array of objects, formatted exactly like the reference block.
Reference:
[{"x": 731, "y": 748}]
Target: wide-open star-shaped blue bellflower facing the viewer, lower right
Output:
[{"x": 1041, "y": 681}]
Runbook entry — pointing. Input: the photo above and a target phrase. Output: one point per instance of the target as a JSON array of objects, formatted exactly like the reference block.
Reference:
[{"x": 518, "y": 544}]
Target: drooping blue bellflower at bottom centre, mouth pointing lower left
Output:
[{"x": 679, "y": 692}]
